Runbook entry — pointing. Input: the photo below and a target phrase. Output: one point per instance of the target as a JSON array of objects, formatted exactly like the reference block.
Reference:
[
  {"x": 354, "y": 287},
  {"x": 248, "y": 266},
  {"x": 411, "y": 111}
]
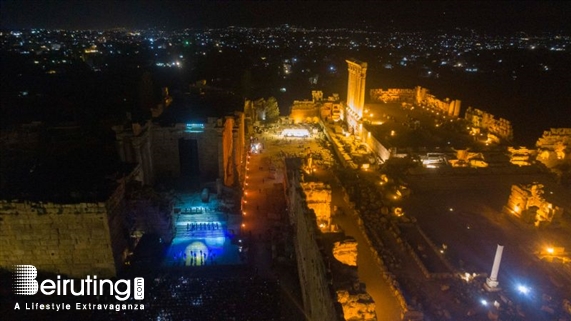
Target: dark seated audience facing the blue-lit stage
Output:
[{"x": 238, "y": 297}]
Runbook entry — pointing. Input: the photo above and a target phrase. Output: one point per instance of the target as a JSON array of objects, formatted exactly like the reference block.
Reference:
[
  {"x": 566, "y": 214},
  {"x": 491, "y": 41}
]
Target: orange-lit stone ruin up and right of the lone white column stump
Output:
[{"x": 527, "y": 202}]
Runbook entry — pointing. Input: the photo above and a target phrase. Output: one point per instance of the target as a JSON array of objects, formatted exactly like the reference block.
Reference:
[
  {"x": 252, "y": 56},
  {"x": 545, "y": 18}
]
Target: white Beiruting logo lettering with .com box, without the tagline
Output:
[{"x": 25, "y": 283}]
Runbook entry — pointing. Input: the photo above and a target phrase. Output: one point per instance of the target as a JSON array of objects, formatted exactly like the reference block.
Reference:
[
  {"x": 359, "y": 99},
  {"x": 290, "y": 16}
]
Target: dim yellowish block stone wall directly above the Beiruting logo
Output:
[{"x": 70, "y": 239}]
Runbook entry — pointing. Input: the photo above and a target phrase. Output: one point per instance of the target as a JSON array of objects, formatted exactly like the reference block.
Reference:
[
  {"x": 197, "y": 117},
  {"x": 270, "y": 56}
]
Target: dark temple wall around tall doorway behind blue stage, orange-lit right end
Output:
[{"x": 156, "y": 148}]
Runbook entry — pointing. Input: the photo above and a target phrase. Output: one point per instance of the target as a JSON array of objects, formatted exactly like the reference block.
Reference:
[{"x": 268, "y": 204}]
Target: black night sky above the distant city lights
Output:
[{"x": 402, "y": 15}]
